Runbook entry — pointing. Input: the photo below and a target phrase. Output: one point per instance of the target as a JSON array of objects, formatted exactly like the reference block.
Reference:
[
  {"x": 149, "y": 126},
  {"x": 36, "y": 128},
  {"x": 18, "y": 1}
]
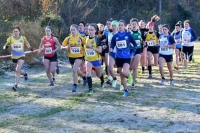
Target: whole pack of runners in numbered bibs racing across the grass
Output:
[{"x": 116, "y": 44}]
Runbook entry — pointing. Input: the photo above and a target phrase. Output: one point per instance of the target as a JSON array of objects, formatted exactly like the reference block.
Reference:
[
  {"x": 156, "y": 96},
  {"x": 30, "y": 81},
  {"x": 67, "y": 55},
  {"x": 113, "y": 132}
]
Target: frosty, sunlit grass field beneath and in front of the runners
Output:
[{"x": 35, "y": 107}]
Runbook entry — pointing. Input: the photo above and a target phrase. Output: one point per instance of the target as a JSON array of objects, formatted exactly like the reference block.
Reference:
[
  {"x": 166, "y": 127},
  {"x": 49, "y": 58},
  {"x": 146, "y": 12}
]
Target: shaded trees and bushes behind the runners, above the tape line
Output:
[{"x": 32, "y": 15}]
